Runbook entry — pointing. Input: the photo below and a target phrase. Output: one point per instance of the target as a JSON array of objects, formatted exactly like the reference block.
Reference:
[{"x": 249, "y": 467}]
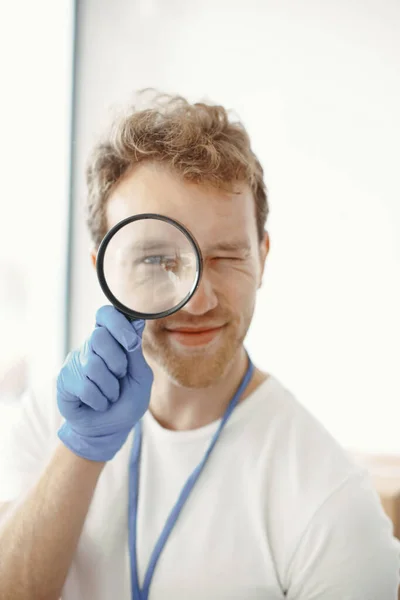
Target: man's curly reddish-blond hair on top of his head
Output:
[{"x": 198, "y": 141}]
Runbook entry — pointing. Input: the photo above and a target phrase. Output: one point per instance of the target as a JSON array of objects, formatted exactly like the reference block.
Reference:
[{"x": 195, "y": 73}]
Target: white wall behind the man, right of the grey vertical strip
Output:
[{"x": 318, "y": 86}]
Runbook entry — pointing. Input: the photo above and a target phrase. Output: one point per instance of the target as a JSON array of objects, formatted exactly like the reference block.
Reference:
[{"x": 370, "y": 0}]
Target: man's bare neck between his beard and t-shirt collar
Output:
[{"x": 180, "y": 408}]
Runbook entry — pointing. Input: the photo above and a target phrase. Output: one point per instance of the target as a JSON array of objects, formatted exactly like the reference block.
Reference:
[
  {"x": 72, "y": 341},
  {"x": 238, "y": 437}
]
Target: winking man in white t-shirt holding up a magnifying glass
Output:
[{"x": 278, "y": 510}]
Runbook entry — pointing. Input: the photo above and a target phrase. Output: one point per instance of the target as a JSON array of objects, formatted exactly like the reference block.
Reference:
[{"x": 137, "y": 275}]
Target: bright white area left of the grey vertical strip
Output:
[{"x": 36, "y": 41}]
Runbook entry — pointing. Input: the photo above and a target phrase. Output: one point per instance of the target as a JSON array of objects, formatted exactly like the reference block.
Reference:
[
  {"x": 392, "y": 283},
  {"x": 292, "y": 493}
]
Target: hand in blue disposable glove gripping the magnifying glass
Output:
[{"x": 103, "y": 388}]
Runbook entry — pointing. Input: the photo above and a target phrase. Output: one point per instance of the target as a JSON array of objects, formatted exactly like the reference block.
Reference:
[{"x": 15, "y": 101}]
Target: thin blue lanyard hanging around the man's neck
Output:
[{"x": 143, "y": 594}]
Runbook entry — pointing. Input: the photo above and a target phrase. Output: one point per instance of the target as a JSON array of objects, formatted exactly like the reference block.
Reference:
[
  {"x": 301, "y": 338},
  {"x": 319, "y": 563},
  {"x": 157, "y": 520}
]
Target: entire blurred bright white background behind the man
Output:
[{"x": 318, "y": 87}]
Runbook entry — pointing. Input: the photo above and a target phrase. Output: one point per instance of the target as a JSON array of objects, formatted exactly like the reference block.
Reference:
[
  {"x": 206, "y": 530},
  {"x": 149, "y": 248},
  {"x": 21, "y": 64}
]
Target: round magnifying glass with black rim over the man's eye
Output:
[{"x": 148, "y": 266}]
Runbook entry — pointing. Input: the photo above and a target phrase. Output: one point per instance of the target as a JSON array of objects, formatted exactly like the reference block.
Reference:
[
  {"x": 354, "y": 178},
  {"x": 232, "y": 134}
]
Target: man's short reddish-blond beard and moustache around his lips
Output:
[{"x": 198, "y": 367}]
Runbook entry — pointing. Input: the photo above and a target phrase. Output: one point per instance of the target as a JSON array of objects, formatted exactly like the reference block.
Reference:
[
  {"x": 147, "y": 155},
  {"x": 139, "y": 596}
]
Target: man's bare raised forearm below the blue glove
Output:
[{"x": 39, "y": 540}]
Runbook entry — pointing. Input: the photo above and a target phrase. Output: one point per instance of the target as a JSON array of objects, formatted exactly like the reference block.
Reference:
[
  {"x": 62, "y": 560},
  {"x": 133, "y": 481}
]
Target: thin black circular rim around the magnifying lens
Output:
[{"x": 132, "y": 314}]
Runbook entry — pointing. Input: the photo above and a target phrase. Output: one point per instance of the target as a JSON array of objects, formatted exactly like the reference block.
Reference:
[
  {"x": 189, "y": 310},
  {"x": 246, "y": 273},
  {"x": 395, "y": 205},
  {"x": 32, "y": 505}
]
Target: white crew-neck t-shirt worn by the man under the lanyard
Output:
[{"x": 280, "y": 511}]
